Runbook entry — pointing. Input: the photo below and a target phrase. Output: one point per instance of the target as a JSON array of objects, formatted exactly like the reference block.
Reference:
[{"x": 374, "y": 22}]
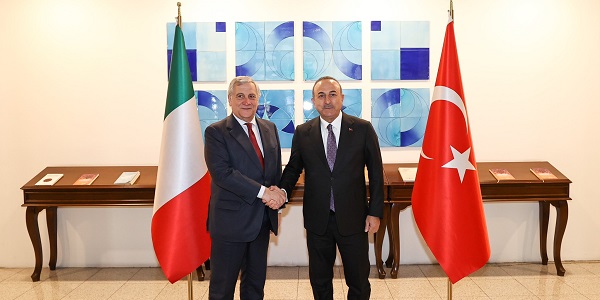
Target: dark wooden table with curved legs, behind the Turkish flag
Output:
[{"x": 526, "y": 187}]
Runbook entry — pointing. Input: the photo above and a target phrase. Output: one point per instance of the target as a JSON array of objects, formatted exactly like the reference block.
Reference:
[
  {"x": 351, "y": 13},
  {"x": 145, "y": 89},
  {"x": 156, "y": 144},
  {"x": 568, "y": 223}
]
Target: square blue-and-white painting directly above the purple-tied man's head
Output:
[{"x": 333, "y": 49}]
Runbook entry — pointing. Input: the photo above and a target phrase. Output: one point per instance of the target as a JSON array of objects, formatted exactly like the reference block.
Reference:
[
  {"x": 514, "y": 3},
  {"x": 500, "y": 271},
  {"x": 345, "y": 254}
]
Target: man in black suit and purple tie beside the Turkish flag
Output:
[{"x": 333, "y": 150}]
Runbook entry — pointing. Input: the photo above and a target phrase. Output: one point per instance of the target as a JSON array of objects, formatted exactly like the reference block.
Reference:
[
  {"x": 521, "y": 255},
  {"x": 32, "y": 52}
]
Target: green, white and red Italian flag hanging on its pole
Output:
[{"x": 179, "y": 233}]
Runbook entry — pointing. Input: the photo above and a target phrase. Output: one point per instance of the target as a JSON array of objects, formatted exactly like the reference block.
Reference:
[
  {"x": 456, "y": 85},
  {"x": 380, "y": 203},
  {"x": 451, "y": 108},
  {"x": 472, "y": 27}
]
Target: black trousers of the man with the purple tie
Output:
[{"x": 354, "y": 250}]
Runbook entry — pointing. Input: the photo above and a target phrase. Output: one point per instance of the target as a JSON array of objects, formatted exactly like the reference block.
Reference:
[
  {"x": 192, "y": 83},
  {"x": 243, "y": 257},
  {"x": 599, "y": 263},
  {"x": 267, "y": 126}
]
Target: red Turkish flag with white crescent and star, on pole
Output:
[{"x": 446, "y": 199}]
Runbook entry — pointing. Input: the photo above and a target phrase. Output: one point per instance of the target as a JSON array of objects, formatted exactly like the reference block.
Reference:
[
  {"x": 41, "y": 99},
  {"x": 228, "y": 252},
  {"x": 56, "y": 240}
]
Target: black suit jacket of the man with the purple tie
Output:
[{"x": 358, "y": 147}]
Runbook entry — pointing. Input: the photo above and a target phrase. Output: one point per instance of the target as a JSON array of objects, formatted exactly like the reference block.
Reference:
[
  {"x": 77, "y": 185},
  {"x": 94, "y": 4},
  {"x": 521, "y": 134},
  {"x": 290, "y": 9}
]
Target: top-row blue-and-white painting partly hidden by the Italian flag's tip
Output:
[{"x": 206, "y": 49}]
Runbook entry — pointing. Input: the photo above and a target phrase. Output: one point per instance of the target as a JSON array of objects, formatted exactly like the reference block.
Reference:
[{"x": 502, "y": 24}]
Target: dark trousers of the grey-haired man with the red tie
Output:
[{"x": 228, "y": 259}]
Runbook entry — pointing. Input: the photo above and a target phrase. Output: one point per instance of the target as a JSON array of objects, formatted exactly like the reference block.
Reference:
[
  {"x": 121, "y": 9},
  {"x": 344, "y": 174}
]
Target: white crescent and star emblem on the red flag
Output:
[{"x": 460, "y": 161}]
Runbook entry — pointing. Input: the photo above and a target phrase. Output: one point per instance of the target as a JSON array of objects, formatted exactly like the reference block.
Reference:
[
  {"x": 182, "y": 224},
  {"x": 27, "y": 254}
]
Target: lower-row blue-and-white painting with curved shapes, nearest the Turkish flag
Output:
[{"x": 399, "y": 116}]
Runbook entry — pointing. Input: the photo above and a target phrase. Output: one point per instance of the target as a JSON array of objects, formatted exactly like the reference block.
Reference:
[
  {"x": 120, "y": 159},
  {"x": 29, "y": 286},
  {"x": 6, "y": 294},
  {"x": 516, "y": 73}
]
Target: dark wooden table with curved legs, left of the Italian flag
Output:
[{"x": 102, "y": 193}]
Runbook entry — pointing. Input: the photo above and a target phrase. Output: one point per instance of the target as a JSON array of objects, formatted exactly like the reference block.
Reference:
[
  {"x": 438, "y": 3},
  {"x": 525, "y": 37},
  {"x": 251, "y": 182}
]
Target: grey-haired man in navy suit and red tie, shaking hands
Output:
[{"x": 243, "y": 156}]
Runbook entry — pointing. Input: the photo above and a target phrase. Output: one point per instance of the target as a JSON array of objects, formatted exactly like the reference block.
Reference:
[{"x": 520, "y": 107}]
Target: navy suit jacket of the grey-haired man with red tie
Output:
[{"x": 235, "y": 213}]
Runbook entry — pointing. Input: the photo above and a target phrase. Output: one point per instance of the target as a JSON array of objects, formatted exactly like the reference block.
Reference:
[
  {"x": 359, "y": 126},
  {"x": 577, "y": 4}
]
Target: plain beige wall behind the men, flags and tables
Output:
[{"x": 84, "y": 83}]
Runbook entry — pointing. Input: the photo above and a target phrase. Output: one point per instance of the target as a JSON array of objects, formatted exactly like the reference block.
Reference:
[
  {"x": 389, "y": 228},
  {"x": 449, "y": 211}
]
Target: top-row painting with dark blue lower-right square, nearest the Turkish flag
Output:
[{"x": 400, "y": 50}]
